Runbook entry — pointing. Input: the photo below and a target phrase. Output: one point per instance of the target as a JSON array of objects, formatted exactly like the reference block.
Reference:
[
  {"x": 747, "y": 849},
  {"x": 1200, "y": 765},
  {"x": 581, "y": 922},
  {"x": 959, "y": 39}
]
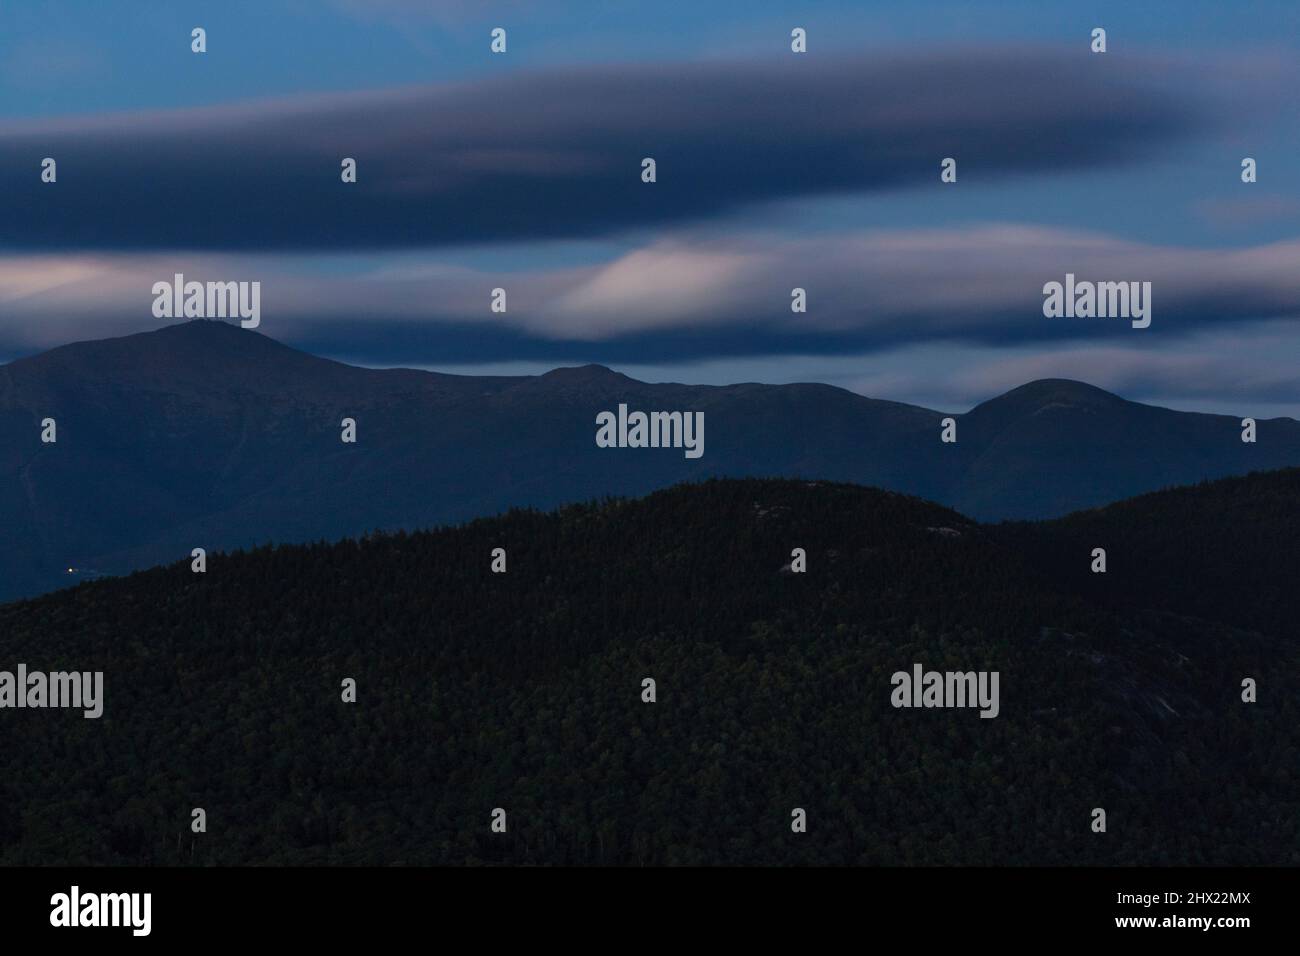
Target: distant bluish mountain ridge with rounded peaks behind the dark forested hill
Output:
[{"x": 207, "y": 435}]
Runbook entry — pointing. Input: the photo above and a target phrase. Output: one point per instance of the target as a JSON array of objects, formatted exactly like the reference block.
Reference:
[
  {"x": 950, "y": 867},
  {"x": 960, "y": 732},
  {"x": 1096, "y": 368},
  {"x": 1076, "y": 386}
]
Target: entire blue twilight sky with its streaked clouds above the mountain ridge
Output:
[{"x": 775, "y": 171}]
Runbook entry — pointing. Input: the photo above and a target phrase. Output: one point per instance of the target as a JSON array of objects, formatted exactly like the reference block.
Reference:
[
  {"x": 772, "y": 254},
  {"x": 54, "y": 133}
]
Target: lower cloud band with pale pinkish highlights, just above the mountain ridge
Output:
[{"x": 688, "y": 297}]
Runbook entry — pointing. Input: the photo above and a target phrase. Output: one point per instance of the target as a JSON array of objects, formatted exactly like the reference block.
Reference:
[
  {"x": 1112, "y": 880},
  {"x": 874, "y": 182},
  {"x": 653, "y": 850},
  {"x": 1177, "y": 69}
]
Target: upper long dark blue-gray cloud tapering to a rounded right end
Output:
[{"x": 558, "y": 154}]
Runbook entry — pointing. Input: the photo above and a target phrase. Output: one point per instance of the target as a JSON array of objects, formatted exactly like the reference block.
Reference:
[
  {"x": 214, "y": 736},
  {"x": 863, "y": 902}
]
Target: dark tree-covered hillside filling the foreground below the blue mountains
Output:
[{"x": 525, "y": 691}]
